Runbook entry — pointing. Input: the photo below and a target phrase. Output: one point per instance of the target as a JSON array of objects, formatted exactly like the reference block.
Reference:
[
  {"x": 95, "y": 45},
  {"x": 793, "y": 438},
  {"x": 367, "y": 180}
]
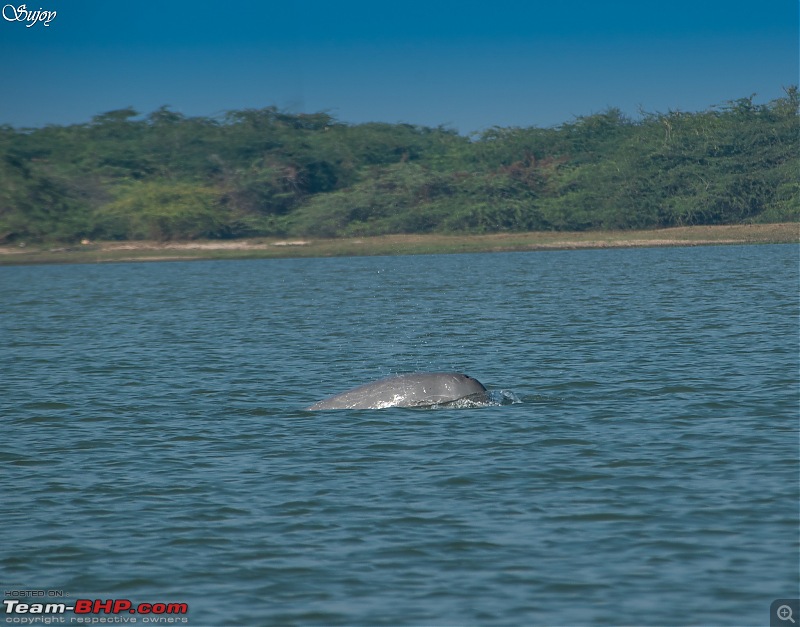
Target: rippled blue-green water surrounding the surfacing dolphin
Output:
[{"x": 154, "y": 448}]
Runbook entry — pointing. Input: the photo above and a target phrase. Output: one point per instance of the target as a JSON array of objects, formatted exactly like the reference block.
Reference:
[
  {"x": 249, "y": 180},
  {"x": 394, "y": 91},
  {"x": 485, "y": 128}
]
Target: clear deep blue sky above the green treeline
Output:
[{"x": 465, "y": 64}]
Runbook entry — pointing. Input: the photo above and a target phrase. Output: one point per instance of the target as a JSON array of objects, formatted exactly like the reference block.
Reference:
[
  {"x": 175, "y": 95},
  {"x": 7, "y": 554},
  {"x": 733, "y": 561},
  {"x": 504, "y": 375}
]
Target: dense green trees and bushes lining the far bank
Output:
[{"x": 265, "y": 172}]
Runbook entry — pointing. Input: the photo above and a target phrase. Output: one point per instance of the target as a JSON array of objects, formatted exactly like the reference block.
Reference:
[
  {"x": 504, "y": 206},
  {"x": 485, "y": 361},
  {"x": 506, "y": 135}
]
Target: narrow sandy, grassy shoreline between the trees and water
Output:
[{"x": 404, "y": 244}]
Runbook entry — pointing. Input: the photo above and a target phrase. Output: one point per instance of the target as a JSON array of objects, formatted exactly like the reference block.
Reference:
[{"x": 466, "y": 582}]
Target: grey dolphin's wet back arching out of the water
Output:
[{"x": 418, "y": 389}]
